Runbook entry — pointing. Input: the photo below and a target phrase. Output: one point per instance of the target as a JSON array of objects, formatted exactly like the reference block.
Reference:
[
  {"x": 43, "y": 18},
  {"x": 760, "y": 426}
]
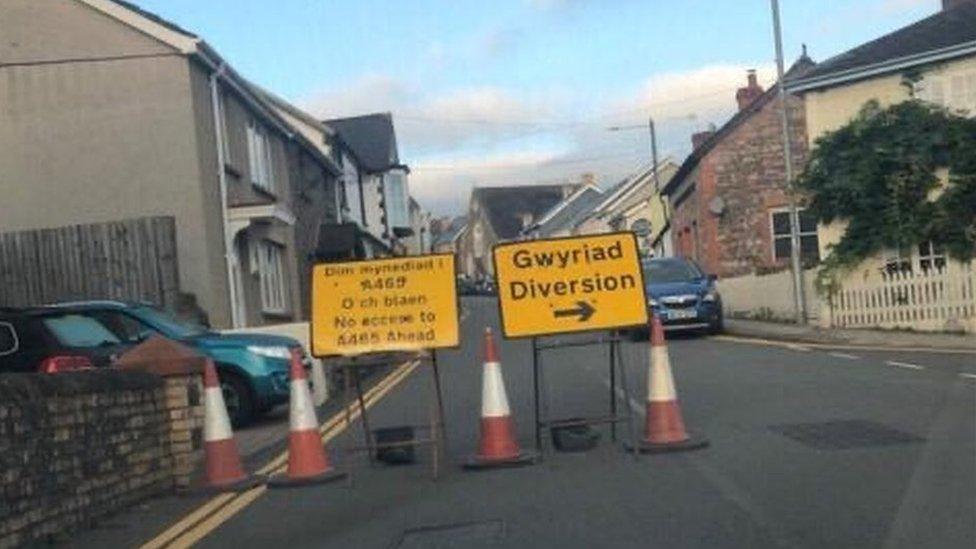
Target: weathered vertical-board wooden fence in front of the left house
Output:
[{"x": 133, "y": 259}]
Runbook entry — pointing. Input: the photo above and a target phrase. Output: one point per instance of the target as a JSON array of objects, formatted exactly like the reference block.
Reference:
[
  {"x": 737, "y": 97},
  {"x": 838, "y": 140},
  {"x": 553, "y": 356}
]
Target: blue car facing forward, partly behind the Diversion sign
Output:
[{"x": 681, "y": 295}]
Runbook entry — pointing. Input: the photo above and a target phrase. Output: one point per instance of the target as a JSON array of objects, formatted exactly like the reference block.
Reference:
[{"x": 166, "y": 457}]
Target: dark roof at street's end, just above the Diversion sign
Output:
[{"x": 505, "y": 206}]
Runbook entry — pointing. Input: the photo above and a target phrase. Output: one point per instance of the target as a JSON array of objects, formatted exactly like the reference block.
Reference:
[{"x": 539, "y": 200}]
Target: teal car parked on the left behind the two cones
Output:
[{"x": 253, "y": 368}]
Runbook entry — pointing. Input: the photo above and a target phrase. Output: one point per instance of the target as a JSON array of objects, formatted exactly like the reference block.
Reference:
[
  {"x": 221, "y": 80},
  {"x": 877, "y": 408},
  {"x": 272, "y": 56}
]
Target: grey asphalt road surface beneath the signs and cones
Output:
[{"x": 888, "y": 460}]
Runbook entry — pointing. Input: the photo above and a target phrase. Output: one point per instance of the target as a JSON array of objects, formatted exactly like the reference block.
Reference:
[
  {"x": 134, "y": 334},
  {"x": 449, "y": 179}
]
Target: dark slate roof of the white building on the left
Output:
[{"x": 371, "y": 138}]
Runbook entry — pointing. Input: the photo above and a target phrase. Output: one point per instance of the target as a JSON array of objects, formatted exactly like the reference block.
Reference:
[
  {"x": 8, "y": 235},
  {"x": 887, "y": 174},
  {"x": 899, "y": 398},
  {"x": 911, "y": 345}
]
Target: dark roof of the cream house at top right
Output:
[{"x": 949, "y": 33}]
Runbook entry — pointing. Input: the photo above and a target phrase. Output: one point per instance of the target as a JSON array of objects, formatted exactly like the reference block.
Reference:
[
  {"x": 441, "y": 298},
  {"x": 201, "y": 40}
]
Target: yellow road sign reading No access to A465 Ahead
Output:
[{"x": 394, "y": 304}]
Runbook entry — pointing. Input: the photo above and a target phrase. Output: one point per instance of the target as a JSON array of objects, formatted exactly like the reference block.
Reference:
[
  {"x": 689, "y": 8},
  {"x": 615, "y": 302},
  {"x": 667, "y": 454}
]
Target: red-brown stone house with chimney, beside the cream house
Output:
[{"x": 728, "y": 198}]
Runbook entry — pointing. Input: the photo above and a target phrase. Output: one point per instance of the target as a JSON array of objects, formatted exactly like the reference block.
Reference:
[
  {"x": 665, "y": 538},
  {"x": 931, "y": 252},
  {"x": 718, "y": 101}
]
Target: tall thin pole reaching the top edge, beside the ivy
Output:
[{"x": 799, "y": 297}]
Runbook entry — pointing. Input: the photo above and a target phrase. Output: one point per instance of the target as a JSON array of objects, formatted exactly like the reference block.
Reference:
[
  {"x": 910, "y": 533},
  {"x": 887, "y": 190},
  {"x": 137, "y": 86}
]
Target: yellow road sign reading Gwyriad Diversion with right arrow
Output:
[{"x": 574, "y": 284}]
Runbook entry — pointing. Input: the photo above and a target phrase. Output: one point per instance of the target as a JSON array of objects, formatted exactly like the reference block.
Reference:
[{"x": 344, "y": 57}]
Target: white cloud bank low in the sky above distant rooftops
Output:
[{"x": 488, "y": 136}]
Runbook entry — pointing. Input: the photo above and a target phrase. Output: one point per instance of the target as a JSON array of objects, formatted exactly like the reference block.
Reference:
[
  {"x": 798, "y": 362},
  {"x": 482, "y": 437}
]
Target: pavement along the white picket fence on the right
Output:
[{"x": 780, "y": 331}]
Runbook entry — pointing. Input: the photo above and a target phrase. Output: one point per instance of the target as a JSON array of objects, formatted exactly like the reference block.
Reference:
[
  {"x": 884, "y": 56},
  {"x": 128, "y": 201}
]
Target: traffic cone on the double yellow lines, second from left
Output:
[{"x": 307, "y": 461}]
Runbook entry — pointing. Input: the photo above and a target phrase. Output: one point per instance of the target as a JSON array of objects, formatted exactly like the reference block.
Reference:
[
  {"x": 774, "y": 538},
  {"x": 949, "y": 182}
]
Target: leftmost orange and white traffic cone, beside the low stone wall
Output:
[{"x": 223, "y": 463}]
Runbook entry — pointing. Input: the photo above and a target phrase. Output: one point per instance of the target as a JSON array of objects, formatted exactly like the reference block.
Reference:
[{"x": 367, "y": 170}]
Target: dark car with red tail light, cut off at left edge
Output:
[{"x": 51, "y": 341}]
